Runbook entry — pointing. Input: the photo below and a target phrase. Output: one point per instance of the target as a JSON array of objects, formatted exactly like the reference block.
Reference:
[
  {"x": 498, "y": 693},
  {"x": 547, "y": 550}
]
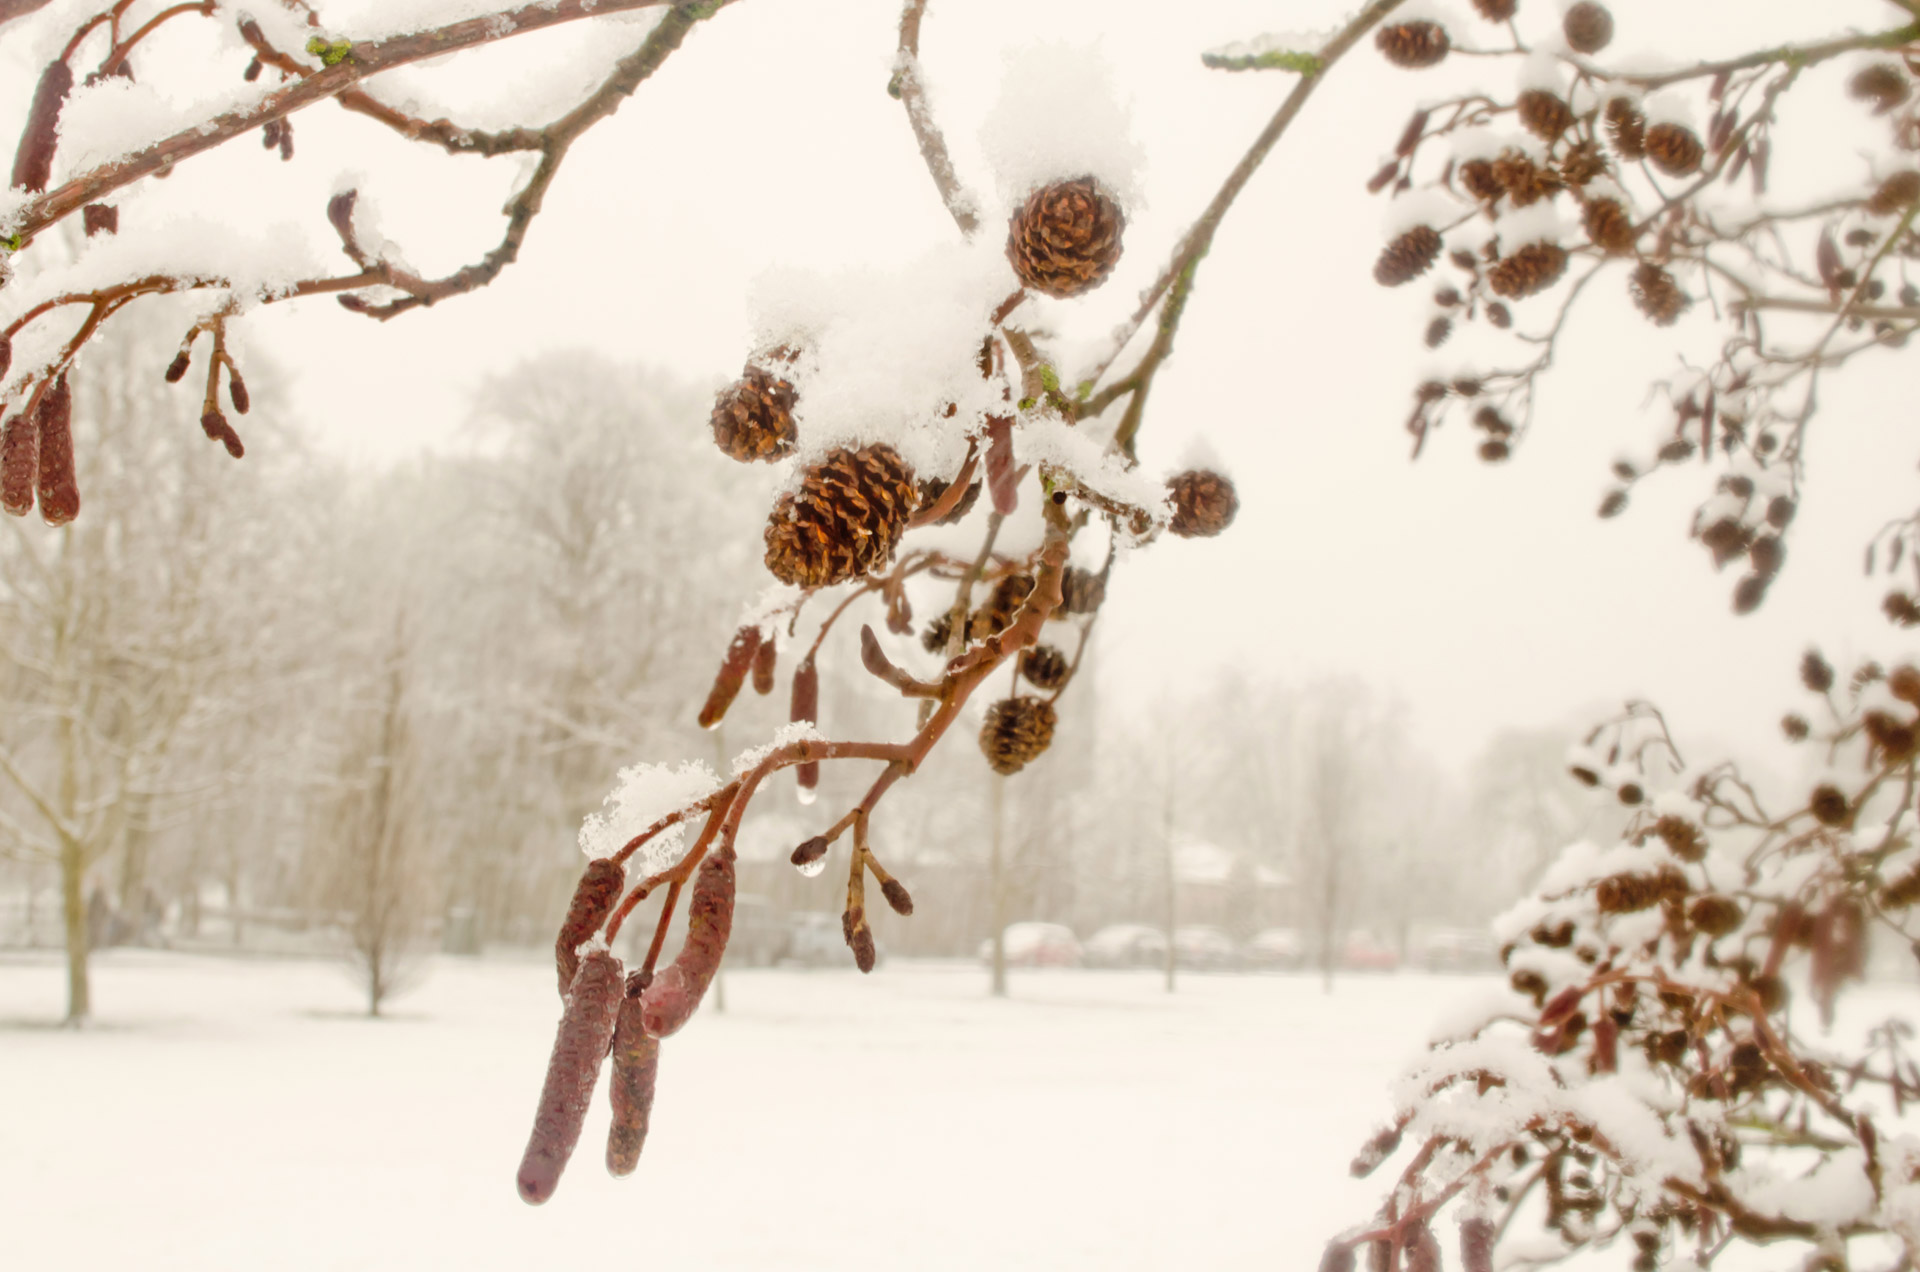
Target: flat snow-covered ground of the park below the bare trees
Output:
[{"x": 241, "y": 1115}]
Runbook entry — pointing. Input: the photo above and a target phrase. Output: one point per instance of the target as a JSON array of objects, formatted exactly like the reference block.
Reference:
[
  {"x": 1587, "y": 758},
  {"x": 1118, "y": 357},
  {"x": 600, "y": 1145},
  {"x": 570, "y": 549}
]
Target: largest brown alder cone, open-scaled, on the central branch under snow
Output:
[{"x": 844, "y": 522}]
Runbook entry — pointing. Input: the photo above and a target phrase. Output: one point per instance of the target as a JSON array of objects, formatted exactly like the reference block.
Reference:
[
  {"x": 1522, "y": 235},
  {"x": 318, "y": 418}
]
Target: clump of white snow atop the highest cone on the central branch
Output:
[{"x": 1059, "y": 118}]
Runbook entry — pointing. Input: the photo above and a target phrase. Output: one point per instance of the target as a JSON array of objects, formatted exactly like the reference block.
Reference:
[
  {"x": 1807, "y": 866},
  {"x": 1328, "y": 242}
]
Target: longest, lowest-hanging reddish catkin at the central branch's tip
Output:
[{"x": 573, "y": 1071}]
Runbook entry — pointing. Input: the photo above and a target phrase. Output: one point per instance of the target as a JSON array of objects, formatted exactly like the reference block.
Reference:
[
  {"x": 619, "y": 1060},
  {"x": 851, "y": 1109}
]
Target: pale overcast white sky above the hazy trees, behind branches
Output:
[{"x": 1481, "y": 597}]
